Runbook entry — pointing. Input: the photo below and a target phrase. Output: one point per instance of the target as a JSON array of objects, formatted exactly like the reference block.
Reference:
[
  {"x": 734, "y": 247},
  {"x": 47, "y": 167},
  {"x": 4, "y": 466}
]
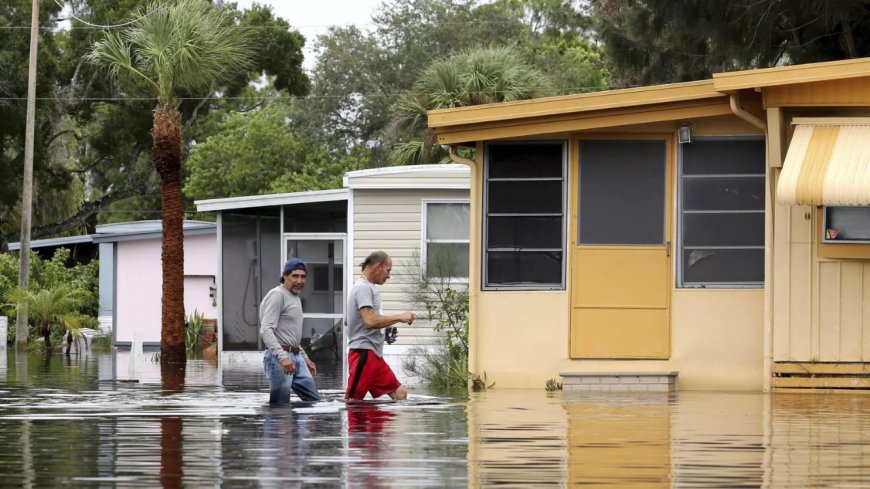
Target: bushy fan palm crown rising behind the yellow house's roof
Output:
[{"x": 477, "y": 76}]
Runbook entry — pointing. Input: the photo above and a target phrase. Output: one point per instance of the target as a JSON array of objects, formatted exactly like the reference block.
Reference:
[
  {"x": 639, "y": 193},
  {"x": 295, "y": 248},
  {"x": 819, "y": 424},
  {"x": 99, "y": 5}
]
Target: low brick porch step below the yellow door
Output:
[{"x": 620, "y": 381}]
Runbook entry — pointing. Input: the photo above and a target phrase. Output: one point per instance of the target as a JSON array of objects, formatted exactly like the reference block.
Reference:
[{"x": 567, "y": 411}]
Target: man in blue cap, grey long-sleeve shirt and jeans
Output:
[{"x": 285, "y": 362}]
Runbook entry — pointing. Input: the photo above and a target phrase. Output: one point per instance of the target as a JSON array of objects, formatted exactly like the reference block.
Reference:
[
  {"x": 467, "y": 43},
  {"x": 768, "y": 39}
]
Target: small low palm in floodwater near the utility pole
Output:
[{"x": 55, "y": 306}]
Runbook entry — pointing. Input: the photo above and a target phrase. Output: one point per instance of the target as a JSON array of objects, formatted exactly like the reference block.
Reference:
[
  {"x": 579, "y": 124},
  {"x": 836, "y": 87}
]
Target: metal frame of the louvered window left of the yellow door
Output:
[{"x": 485, "y": 284}]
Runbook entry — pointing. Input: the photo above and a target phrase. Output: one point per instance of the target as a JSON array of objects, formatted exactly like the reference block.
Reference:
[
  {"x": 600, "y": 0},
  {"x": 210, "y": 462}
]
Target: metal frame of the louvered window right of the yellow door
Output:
[{"x": 680, "y": 248}]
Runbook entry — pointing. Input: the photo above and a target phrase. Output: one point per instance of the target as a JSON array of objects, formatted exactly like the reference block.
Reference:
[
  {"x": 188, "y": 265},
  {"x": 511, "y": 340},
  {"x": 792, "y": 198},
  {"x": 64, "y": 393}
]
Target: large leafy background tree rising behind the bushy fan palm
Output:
[{"x": 360, "y": 74}]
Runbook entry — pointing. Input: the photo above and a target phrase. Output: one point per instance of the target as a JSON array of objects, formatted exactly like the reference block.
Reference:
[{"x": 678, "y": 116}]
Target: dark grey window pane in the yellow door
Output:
[{"x": 622, "y": 192}]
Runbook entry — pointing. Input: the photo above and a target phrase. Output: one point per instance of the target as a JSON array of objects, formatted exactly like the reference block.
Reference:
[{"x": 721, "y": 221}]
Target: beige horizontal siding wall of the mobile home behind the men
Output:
[{"x": 391, "y": 220}]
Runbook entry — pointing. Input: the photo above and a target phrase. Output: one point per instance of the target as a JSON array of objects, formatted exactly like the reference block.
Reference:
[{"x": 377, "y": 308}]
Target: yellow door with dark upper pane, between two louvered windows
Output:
[{"x": 620, "y": 270}]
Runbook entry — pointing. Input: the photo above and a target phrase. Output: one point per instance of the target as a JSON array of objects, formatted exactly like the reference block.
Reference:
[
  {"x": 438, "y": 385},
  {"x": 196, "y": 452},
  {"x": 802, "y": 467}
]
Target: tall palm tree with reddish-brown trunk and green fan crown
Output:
[{"x": 181, "y": 47}]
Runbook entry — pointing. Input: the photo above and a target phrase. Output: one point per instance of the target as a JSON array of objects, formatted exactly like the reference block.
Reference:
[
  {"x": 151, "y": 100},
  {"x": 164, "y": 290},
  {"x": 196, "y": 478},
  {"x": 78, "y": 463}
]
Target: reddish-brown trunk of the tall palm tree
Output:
[{"x": 167, "y": 161}]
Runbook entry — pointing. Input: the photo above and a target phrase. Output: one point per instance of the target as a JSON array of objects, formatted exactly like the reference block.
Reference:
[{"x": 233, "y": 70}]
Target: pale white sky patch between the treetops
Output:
[{"x": 313, "y": 17}]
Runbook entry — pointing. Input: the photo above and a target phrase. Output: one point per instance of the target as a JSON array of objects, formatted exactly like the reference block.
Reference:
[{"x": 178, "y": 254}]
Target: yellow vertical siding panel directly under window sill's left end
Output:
[{"x": 829, "y": 311}]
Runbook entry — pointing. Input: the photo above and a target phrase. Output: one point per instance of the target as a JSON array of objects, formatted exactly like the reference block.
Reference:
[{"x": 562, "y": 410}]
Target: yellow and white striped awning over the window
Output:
[{"x": 828, "y": 163}]
